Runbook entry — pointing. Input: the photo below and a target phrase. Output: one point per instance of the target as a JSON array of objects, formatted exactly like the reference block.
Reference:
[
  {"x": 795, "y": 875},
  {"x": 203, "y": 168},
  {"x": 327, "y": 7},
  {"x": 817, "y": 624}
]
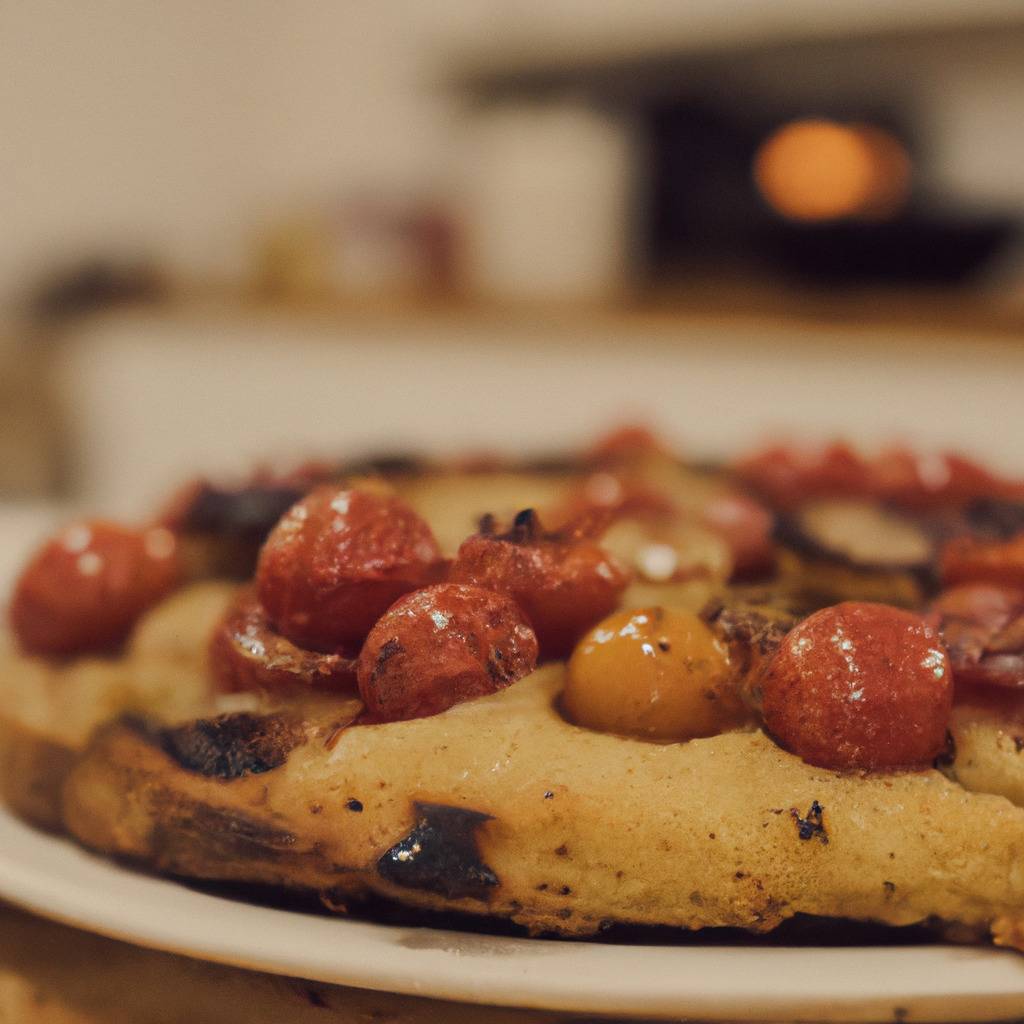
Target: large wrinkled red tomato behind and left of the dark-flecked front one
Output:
[{"x": 337, "y": 561}]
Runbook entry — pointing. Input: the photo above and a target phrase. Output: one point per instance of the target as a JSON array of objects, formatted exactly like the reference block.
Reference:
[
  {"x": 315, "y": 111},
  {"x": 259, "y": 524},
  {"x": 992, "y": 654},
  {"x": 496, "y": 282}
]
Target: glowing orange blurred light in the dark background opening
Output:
[{"x": 822, "y": 170}]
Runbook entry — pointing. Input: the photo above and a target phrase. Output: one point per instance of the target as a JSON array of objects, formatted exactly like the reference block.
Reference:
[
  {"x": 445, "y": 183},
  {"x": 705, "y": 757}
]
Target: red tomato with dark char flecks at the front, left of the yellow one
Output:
[{"x": 441, "y": 647}]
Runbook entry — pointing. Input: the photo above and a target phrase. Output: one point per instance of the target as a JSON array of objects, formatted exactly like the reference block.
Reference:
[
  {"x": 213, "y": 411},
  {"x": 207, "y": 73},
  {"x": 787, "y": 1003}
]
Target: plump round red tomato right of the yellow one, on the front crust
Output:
[{"x": 861, "y": 687}]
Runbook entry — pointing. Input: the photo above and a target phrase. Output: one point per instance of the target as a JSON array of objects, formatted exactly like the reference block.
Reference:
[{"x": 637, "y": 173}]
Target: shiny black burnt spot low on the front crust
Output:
[{"x": 441, "y": 855}]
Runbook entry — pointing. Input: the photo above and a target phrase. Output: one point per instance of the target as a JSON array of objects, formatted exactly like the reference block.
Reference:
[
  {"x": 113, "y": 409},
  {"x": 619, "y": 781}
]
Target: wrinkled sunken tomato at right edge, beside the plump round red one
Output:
[{"x": 983, "y": 627}]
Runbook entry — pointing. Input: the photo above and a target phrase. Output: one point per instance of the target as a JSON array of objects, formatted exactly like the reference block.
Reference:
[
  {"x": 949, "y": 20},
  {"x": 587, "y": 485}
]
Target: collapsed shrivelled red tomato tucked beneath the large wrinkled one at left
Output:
[{"x": 246, "y": 654}]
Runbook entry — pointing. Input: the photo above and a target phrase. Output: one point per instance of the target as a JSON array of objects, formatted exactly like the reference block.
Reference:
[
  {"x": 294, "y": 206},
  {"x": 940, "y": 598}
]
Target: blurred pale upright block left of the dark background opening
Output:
[{"x": 547, "y": 202}]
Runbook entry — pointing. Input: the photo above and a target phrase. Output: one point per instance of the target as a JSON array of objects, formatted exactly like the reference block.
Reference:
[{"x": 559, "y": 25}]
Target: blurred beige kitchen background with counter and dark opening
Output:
[{"x": 304, "y": 189}]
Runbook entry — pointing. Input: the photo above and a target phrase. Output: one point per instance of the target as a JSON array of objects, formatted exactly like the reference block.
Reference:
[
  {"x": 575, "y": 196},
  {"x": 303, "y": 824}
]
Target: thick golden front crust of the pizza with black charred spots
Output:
[{"x": 573, "y": 829}]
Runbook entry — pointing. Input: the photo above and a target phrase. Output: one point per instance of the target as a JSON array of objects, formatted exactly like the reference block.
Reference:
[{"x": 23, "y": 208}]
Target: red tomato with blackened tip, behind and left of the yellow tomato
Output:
[{"x": 564, "y": 583}]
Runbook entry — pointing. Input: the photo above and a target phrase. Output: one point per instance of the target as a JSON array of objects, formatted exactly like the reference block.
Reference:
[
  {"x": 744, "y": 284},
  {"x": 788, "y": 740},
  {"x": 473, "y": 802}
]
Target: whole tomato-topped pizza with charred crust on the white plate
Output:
[{"x": 610, "y": 689}]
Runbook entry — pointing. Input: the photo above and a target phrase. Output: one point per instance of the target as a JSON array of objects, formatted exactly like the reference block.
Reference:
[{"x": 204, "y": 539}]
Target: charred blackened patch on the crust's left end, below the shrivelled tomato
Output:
[{"x": 230, "y": 747}]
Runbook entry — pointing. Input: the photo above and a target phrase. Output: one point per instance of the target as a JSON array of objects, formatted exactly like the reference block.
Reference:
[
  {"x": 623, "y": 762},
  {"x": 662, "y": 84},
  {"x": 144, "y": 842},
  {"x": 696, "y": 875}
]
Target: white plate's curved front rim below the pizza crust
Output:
[{"x": 933, "y": 984}]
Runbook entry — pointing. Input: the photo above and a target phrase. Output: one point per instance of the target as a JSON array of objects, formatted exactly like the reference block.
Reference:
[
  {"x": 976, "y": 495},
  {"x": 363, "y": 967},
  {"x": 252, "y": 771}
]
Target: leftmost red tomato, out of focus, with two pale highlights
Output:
[{"x": 84, "y": 590}]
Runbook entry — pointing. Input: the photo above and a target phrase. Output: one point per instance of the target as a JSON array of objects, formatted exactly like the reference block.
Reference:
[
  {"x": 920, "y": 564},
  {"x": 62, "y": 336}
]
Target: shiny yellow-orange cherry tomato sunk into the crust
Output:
[{"x": 655, "y": 673}]
